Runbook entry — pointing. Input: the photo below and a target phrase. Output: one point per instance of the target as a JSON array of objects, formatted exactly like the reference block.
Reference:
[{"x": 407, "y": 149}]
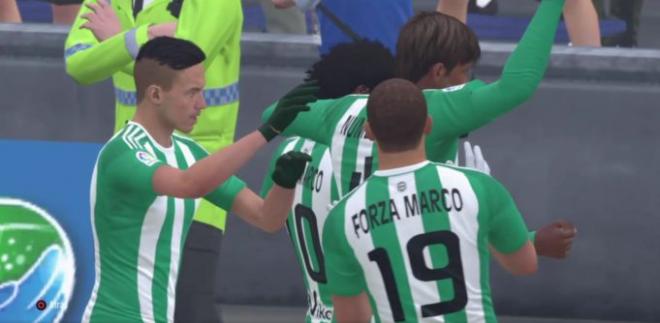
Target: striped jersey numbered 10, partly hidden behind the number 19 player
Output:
[{"x": 313, "y": 197}]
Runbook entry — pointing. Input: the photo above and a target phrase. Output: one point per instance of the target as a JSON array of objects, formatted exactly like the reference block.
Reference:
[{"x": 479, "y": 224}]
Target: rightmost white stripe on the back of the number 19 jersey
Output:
[{"x": 466, "y": 226}]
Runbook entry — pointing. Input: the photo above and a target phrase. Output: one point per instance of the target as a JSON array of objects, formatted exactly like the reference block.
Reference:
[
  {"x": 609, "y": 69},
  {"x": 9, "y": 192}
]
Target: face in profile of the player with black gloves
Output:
[{"x": 186, "y": 98}]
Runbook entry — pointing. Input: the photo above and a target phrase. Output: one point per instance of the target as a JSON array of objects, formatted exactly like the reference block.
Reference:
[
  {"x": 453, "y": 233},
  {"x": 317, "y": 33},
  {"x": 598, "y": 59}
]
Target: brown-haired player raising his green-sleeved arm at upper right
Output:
[{"x": 437, "y": 52}]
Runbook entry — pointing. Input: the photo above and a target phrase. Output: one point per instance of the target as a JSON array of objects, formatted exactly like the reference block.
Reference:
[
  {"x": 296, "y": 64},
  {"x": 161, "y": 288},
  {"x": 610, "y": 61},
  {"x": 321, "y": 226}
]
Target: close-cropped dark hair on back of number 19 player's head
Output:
[{"x": 397, "y": 112}]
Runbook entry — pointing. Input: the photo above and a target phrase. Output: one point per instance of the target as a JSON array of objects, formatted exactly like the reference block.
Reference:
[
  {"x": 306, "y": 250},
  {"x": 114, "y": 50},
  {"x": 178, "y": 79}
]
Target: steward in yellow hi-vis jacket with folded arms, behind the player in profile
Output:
[{"x": 103, "y": 43}]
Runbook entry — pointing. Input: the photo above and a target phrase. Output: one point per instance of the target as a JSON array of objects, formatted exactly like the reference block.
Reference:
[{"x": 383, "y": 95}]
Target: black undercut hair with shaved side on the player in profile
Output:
[{"x": 160, "y": 58}]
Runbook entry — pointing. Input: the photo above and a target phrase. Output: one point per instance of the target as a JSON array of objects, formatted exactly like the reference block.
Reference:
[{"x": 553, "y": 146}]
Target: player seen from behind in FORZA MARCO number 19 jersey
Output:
[{"x": 413, "y": 240}]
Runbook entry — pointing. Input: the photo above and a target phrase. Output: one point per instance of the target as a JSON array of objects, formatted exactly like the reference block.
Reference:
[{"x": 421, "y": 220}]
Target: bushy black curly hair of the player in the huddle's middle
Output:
[{"x": 349, "y": 65}]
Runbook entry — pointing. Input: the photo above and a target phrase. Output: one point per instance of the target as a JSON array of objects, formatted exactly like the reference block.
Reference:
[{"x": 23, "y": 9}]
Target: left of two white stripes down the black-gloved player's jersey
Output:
[{"x": 150, "y": 232}]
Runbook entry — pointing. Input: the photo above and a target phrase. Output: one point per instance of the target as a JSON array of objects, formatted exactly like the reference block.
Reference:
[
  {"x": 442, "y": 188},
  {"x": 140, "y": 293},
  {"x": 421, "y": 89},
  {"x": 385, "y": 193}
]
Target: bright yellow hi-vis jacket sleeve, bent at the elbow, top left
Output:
[{"x": 89, "y": 61}]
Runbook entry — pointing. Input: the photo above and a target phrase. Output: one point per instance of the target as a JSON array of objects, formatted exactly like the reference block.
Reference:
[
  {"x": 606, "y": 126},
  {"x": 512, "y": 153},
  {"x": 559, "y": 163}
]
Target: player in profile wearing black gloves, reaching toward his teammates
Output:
[{"x": 148, "y": 181}]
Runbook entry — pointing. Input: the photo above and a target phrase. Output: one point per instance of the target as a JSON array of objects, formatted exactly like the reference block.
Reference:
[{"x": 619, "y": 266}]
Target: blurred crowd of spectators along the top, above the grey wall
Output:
[{"x": 592, "y": 23}]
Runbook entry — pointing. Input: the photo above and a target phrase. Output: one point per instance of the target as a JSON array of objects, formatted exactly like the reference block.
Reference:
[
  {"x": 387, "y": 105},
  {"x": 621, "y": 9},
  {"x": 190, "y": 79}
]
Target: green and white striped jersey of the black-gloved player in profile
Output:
[{"x": 138, "y": 234}]
